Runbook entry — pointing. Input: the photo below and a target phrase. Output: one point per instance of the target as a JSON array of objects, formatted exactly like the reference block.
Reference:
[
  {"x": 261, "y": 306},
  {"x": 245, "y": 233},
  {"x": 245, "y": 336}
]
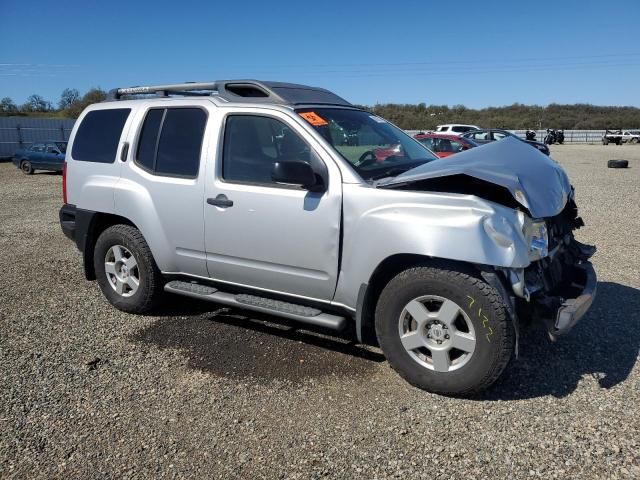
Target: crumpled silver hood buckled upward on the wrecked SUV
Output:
[{"x": 535, "y": 180}]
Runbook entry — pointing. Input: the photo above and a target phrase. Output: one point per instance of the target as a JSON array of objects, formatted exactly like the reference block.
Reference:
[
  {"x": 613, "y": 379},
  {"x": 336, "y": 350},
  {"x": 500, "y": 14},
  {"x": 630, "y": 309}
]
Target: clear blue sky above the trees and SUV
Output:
[{"x": 474, "y": 53}]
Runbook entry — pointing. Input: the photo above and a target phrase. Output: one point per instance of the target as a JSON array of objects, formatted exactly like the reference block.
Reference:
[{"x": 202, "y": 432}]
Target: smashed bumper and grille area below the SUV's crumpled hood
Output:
[{"x": 559, "y": 287}]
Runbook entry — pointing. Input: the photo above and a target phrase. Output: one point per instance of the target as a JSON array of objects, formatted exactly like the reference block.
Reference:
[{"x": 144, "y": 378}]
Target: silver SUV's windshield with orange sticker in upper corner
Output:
[{"x": 374, "y": 148}]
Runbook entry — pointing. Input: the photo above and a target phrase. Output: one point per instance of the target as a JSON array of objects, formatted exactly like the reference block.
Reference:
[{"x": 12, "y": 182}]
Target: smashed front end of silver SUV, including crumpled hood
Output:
[{"x": 553, "y": 282}]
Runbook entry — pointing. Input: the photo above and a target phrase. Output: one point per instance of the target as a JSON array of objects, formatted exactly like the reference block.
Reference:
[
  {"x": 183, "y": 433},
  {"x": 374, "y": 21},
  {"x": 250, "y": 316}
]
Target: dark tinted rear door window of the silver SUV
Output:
[{"x": 171, "y": 141}]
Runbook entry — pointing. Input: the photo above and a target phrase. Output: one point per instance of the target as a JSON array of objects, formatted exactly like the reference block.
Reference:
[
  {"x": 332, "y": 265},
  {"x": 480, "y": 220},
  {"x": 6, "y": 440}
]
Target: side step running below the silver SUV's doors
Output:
[{"x": 301, "y": 313}]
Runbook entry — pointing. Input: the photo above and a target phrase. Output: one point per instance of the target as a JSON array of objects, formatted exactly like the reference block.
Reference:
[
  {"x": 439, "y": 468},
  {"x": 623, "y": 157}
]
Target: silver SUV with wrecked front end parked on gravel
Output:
[{"x": 286, "y": 199}]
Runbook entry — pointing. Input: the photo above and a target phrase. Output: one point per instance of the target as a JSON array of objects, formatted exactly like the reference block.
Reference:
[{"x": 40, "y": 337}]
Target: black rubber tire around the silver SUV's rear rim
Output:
[{"x": 150, "y": 290}]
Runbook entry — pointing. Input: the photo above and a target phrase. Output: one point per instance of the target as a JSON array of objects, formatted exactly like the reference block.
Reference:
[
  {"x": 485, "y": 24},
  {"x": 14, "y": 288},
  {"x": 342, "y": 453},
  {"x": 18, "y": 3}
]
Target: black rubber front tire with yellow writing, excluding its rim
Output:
[{"x": 483, "y": 307}]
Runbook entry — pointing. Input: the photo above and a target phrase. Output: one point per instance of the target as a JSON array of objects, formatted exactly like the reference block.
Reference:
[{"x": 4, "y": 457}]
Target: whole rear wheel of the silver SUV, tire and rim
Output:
[{"x": 118, "y": 284}]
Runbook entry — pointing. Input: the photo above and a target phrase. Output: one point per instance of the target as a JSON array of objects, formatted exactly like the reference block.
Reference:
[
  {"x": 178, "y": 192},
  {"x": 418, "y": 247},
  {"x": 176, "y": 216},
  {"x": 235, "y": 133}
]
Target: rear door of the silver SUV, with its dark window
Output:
[{"x": 161, "y": 188}]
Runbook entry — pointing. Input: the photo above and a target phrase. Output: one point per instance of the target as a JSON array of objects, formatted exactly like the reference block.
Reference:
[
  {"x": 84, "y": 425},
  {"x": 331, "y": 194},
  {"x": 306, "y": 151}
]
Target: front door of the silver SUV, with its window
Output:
[{"x": 270, "y": 236}]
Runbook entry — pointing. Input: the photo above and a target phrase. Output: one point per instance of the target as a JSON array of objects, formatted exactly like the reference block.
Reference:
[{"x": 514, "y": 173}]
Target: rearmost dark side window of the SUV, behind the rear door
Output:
[{"x": 98, "y": 136}]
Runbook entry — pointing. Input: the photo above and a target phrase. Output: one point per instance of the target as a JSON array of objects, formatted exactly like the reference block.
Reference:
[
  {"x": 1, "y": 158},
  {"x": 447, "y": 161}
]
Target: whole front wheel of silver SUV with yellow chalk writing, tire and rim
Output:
[{"x": 478, "y": 305}]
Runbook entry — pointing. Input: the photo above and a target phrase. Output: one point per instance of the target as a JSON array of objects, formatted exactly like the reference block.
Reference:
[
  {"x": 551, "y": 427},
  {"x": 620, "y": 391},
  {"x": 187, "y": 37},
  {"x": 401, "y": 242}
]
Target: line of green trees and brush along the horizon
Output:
[{"x": 410, "y": 117}]
